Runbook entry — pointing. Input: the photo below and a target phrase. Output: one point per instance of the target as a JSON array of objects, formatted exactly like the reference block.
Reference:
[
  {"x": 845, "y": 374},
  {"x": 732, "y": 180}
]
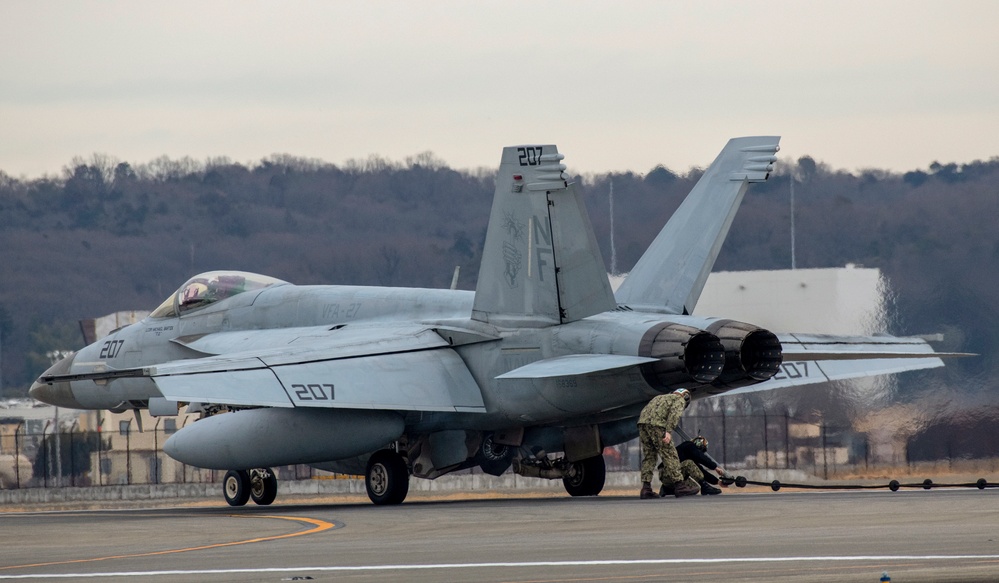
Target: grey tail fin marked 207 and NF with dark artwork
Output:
[{"x": 541, "y": 263}]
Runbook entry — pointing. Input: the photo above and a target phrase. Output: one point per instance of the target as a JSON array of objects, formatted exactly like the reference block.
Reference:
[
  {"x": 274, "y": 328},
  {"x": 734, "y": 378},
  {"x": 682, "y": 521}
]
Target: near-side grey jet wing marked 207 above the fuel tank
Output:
[{"x": 329, "y": 368}]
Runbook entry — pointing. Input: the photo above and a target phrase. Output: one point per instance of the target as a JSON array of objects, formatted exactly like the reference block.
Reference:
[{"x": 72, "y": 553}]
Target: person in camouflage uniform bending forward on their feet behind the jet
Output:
[{"x": 657, "y": 419}]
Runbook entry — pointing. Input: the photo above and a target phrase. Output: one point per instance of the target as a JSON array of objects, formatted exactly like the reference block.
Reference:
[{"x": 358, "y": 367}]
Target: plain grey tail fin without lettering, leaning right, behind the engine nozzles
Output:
[{"x": 671, "y": 274}]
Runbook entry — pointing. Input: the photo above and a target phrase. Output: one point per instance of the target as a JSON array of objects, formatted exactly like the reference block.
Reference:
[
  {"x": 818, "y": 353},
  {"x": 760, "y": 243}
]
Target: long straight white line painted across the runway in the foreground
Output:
[{"x": 445, "y": 566}]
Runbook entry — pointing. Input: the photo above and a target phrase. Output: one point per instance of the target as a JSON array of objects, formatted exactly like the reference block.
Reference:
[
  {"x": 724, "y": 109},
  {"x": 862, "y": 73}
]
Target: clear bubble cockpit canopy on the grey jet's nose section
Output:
[{"x": 207, "y": 288}]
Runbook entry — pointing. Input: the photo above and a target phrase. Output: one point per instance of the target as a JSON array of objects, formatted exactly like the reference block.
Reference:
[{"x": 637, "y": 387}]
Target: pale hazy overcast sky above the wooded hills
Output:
[{"x": 617, "y": 85}]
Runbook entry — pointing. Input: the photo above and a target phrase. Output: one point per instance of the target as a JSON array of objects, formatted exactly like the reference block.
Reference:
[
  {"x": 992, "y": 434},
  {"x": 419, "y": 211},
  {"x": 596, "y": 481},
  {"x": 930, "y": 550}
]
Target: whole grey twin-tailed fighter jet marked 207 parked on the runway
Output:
[{"x": 538, "y": 370}]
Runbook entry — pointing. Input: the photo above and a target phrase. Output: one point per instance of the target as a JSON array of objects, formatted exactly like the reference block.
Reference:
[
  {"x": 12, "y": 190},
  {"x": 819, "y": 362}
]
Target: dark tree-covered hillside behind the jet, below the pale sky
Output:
[{"x": 108, "y": 235}]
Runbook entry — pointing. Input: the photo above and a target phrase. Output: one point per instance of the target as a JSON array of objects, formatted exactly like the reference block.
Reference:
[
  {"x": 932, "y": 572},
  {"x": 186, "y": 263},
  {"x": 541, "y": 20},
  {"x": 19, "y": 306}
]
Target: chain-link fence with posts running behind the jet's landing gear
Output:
[{"x": 78, "y": 458}]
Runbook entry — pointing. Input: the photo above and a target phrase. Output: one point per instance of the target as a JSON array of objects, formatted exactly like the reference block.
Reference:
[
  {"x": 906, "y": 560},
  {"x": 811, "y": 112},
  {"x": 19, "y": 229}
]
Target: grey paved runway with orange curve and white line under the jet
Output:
[{"x": 914, "y": 535}]
